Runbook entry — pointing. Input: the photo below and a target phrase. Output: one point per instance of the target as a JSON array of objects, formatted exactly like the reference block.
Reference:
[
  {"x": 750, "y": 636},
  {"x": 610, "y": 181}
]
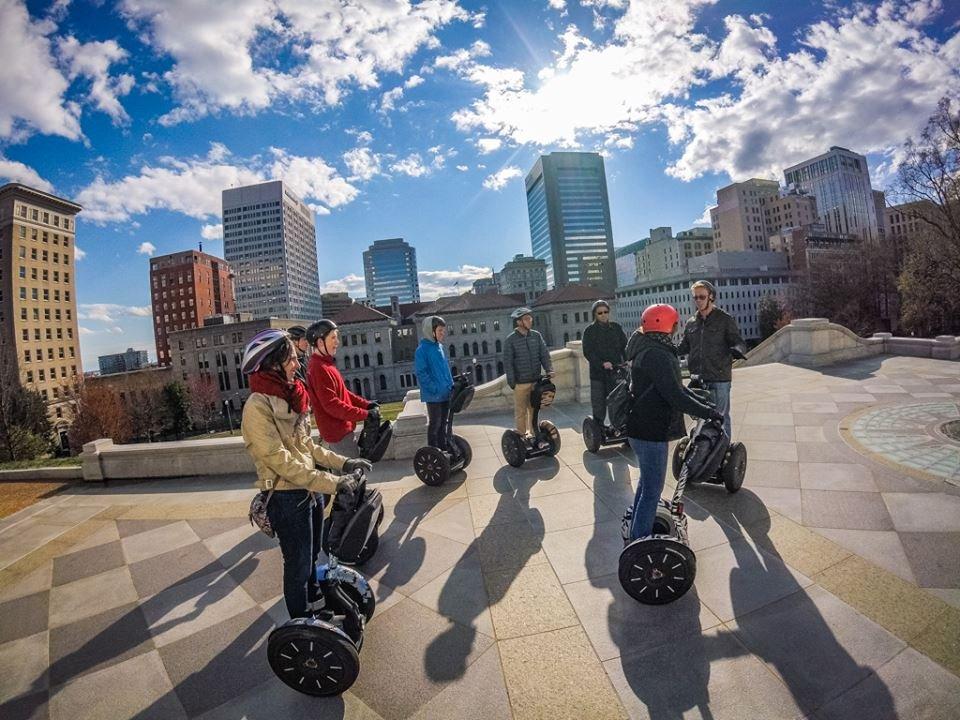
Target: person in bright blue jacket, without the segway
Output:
[{"x": 436, "y": 382}]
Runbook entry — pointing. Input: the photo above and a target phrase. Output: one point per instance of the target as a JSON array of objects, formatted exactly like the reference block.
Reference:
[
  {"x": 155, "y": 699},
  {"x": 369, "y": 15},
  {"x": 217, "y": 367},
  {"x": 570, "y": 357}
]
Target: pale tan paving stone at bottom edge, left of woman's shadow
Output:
[{"x": 147, "y": 693}]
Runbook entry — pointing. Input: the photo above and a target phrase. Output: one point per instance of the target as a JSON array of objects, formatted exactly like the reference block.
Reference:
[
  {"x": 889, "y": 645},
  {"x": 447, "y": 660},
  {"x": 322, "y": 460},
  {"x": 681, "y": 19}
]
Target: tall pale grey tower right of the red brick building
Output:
[{"x": 269, "y": 239}]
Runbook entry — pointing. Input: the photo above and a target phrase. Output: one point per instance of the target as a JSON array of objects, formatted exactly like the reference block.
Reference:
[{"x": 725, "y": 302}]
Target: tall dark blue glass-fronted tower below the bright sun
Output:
[{"x": 569, "y": 213}]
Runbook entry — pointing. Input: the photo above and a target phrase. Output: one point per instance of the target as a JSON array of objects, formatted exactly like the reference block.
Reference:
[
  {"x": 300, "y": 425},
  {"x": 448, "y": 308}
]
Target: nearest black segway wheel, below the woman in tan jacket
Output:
[{"x": 313, "y": 657}]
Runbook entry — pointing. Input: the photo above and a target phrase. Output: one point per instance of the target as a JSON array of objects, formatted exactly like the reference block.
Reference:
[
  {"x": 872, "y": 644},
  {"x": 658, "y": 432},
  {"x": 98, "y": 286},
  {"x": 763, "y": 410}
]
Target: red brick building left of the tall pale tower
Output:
[{"x": 185, "y": 288}]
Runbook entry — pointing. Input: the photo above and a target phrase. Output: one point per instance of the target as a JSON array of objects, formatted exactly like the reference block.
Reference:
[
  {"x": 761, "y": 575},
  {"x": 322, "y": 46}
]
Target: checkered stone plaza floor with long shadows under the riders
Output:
[{"x": 828, "y": 587}]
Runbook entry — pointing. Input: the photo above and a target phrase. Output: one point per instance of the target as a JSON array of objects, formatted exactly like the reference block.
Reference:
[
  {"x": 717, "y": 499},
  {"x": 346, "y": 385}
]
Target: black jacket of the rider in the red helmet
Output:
[{"x": 660, "y": 399}]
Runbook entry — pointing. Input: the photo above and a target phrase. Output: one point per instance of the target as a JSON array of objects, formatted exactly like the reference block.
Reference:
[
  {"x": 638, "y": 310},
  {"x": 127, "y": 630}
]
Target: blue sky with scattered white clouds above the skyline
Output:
[{"x": 420, "y": 119}]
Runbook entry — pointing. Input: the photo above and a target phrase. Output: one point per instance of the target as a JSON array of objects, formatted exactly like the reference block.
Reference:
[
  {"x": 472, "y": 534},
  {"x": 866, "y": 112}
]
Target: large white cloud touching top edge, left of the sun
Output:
[{"x": 333, "y": 45}]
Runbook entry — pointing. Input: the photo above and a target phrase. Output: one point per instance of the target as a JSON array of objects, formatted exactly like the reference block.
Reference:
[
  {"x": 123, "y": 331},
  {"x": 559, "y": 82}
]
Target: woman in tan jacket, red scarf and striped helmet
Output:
[{"x": 276, "y": 432}]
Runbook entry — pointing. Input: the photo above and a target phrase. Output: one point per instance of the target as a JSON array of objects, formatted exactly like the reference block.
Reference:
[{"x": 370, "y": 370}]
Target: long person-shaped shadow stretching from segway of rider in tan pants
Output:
[{"x": 513, "y": 535}]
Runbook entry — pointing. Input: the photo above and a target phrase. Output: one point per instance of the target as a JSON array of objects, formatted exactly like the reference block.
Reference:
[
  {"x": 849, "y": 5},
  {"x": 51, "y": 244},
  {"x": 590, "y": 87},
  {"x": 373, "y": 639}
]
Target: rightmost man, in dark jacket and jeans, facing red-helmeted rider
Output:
[{"x": 708, "y": 337}]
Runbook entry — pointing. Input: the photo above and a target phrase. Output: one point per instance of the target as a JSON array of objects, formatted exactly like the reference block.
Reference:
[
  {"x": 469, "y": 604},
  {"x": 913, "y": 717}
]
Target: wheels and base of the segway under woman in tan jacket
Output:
[{"x": 319, "y": 655}]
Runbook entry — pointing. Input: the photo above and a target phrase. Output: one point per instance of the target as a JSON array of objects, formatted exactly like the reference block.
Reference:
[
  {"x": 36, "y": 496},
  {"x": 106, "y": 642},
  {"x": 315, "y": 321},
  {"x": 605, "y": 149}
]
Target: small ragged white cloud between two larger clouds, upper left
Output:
[{"x": 92, "y": 60}]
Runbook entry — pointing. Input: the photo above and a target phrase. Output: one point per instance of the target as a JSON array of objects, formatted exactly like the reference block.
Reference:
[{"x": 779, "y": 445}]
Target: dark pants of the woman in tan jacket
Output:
[{"x": 298, "y": 522}]
